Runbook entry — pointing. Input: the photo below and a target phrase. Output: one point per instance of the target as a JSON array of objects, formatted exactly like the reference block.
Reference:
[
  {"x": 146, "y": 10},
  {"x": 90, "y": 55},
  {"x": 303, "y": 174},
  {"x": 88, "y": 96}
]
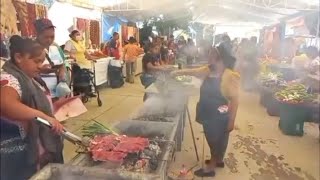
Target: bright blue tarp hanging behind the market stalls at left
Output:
[{"x": 110, "y": 24}]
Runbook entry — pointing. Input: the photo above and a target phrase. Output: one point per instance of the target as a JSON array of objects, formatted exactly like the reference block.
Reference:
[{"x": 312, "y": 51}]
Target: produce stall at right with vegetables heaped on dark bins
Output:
[{"x": 294, "y": 100}]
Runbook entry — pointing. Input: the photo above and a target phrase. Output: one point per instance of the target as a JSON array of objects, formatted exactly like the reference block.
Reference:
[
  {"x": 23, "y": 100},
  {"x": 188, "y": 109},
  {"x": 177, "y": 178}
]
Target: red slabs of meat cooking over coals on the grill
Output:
[{"x": 133, "y": 153}]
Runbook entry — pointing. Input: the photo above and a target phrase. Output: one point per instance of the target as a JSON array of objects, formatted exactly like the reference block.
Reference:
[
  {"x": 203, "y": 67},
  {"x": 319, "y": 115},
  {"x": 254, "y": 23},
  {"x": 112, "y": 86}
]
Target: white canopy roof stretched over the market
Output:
[{"x": 246, "y": 15}]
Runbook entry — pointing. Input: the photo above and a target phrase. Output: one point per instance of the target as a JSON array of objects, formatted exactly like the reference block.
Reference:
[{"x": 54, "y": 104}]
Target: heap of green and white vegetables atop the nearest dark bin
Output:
[{"x": 294, "y": 94}]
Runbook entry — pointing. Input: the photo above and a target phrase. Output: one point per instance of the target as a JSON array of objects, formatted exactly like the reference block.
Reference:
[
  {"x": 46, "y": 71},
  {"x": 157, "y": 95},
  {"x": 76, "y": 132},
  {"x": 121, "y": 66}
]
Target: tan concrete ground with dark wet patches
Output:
[{"x": 257, "y": 149}]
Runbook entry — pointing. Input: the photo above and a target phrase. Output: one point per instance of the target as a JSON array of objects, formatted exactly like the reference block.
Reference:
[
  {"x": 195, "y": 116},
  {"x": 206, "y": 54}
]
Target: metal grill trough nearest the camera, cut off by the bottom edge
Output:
[{"x": 69, "y": 172}]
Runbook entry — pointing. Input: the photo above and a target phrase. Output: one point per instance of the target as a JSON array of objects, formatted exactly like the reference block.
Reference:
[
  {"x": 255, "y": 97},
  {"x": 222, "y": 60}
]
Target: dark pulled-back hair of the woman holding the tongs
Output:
[{"x": 24, "y": 46}]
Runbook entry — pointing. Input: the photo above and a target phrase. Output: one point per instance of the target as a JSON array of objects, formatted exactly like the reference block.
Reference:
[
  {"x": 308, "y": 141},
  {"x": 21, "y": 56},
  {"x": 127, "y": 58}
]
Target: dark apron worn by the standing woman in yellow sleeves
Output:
[{"x": 215, "y": 123}]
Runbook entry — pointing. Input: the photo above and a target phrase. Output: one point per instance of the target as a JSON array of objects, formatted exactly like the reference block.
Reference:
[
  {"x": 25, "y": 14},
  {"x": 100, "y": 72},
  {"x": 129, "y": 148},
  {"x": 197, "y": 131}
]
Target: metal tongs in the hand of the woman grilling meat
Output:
[{"x": 67, "y": 134}]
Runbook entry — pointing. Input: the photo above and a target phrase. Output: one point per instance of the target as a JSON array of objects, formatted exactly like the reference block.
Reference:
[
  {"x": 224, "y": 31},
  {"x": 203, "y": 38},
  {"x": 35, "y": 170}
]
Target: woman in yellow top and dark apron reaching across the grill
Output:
[{"x": 218, "y": 104}]
